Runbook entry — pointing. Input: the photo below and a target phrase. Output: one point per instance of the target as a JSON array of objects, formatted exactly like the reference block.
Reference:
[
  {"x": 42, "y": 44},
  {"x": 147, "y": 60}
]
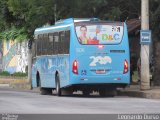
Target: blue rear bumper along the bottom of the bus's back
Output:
[{"x": 119, "y": 81}]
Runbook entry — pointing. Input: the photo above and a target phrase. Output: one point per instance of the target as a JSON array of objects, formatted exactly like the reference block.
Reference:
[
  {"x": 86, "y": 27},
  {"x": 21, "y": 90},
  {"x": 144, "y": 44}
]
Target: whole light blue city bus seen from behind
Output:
[{"x": 81, "y": 54}]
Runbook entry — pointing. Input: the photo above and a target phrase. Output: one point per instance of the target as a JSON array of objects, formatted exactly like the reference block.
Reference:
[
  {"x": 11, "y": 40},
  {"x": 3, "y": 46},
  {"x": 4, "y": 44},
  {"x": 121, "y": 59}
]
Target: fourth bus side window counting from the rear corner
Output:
[{"x": 50, "y": 44}]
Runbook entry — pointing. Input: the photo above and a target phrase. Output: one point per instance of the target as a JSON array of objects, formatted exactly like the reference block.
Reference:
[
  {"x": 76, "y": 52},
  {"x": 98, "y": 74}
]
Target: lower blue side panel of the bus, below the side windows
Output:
[{"x": 47, "y": 67}]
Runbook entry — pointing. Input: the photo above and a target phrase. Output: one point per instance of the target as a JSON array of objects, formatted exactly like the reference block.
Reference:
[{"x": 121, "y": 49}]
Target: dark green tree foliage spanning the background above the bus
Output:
[{"x": 19, "y": 18}]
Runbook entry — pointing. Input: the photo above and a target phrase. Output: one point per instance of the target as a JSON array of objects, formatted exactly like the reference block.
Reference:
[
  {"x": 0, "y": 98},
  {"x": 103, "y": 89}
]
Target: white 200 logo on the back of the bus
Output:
[{"x": 101, "y": 60}]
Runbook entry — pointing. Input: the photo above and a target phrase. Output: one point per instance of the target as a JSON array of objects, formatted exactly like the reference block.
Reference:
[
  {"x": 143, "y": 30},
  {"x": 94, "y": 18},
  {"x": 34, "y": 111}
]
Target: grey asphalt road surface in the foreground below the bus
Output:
[{"x": 26, "y": 102}]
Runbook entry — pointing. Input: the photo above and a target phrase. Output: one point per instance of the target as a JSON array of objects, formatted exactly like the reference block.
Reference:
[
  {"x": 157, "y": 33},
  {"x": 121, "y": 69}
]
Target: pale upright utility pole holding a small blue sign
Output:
[{"x": 145, "y": 74}]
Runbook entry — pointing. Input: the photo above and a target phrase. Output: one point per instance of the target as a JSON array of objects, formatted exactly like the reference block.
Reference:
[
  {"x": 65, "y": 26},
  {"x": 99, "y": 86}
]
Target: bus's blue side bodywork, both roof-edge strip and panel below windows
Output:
[{"x": 47, "y": 66}]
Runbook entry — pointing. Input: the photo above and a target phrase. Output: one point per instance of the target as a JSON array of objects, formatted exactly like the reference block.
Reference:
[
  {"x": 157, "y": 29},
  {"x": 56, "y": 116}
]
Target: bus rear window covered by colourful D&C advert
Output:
[{"x": 99, "y": 34}]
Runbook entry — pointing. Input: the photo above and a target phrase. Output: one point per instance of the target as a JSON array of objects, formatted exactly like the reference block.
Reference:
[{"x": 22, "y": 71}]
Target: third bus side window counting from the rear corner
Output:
[{"x": 55, "y": 43}]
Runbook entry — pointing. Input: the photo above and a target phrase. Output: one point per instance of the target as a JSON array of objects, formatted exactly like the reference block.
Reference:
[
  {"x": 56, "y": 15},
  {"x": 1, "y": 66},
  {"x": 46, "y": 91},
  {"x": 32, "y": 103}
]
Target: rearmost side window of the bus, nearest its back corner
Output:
[{"x": 67, "y": 41}]
